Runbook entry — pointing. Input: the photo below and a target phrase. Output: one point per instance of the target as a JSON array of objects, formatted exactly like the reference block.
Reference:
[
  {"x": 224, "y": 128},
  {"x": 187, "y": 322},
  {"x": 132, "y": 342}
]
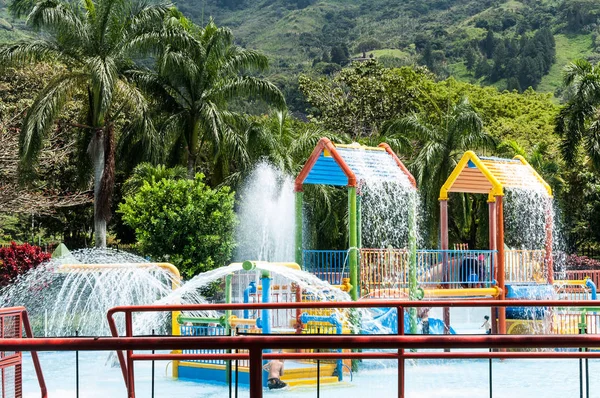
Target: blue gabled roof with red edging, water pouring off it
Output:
[{"x": 346, "y": 165}]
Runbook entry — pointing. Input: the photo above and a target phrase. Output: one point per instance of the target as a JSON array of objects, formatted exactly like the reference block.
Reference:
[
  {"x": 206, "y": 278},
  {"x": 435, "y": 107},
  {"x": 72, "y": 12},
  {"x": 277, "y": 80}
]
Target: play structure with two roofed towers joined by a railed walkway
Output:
[{"x": 409, "y": 273}]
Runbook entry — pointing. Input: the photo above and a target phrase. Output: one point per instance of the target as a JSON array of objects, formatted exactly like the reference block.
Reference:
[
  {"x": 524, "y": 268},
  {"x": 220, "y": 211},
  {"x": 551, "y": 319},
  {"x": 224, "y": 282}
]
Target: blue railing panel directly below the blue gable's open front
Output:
[{"x": 327, "y": 265}]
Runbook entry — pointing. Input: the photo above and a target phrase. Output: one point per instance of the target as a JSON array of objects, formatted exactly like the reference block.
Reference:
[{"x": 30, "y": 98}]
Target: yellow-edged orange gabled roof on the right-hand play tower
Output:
[{"x": 491, "y": 175}]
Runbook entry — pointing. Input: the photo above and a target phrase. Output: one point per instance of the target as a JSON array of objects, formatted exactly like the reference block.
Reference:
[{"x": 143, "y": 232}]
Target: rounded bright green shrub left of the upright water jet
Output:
[{"x": 184, "y": 222}]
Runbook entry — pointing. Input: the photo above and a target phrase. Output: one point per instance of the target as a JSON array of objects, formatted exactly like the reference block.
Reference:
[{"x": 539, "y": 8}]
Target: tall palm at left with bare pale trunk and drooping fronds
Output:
[{"x": 94, "y": 39}]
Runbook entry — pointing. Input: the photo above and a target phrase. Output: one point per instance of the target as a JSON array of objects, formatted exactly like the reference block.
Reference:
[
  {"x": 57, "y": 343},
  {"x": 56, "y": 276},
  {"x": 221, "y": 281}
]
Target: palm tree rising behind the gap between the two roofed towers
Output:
[{"x": 440, "y": 139}]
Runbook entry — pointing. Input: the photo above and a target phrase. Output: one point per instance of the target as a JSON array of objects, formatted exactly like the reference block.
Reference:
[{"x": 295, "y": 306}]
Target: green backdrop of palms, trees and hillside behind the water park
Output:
[{"x": 427, "y": 78}]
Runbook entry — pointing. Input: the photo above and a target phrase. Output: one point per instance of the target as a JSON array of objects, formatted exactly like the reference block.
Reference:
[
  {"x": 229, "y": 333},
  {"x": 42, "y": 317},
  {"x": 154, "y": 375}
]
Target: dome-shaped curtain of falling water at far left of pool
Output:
[{"x": 62, "y": 301}]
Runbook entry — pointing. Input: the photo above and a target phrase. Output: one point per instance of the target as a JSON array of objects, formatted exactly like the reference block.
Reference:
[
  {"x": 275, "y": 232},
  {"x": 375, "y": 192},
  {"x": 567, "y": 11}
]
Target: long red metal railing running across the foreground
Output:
[{"x": 255, "y": 344}]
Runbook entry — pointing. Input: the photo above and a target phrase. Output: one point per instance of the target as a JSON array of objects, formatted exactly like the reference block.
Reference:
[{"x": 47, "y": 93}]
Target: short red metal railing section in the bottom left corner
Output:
[{"x": 13, "y": 321}]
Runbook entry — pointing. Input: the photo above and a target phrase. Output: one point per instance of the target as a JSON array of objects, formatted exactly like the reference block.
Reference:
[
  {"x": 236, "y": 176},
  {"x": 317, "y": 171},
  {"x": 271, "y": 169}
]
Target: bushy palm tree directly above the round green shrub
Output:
[{"x": 196, "y": 80}]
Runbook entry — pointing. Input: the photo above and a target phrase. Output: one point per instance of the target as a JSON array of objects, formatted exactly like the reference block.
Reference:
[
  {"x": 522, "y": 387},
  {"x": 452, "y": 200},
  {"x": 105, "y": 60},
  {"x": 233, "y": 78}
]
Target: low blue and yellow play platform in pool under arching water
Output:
[{"x": 254, "y": 283}]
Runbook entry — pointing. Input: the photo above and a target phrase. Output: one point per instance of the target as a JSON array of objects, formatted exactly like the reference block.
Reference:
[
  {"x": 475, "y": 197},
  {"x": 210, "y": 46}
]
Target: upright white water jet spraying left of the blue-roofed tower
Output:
[{"x": 266, "y": 214}]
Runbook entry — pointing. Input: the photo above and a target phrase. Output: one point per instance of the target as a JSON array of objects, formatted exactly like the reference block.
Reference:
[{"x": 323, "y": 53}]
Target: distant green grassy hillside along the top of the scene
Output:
[{"x": 297, "y": 34}]
